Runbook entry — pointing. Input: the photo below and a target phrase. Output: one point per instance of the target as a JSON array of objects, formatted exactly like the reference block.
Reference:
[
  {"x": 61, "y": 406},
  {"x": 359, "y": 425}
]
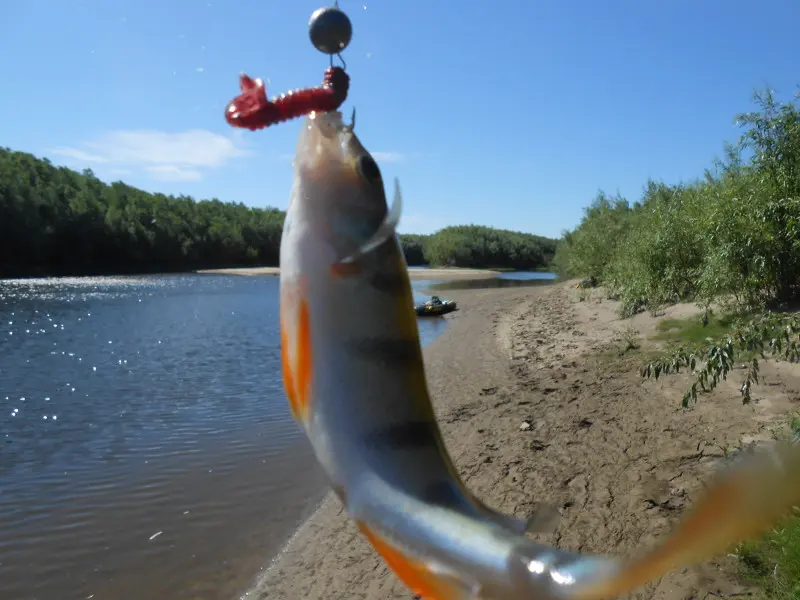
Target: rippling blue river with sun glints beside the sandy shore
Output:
[{"x": 146, "y": 447}]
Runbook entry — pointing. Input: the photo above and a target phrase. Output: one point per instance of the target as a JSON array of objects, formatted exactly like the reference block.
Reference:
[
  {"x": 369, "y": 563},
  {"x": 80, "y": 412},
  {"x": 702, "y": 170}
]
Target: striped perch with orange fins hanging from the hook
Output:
[{"x": 355, "y": 381}]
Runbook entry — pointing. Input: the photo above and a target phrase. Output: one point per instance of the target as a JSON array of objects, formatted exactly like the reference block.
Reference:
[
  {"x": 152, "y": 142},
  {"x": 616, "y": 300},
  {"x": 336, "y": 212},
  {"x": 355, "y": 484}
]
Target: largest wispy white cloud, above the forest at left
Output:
[{"x": 164, "y": 156}]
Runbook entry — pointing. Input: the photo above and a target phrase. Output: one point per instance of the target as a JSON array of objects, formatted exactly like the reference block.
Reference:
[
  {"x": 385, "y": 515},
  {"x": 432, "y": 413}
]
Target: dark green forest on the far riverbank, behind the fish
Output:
[{"x": 56, "y": 221}]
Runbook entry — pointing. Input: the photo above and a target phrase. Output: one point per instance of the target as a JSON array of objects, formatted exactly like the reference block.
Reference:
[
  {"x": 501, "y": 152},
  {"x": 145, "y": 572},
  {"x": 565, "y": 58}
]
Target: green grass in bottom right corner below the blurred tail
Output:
[{"x": 772, "y": 562}]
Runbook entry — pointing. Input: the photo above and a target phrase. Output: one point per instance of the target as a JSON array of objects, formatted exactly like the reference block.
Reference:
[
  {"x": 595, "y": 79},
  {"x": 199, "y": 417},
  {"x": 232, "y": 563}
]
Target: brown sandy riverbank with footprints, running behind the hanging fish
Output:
[{"x": 616, "y": 454}]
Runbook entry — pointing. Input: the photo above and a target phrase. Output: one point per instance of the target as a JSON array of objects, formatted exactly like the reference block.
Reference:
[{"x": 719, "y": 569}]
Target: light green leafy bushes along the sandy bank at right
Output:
[{"x": 731, "y": 235}]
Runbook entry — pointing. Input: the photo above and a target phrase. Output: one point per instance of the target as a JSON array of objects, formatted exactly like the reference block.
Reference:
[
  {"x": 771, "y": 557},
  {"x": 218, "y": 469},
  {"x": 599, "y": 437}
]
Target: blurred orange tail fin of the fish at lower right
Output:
[{"x": 744, "y": 502}]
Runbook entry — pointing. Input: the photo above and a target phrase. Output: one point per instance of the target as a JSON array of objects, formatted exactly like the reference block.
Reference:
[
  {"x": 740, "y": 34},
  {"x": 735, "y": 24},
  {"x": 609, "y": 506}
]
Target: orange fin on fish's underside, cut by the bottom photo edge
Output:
[{"x": 425, "y": 580}]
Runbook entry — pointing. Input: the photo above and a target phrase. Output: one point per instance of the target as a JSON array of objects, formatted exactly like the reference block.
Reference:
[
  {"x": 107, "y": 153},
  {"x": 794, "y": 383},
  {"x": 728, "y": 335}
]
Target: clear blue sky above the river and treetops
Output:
[{"x": 510, "y": 114}]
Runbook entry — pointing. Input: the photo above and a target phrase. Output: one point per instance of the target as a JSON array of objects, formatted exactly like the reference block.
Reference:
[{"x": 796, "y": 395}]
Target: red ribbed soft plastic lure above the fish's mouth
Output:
[{"x": 251, "y": 109}]
